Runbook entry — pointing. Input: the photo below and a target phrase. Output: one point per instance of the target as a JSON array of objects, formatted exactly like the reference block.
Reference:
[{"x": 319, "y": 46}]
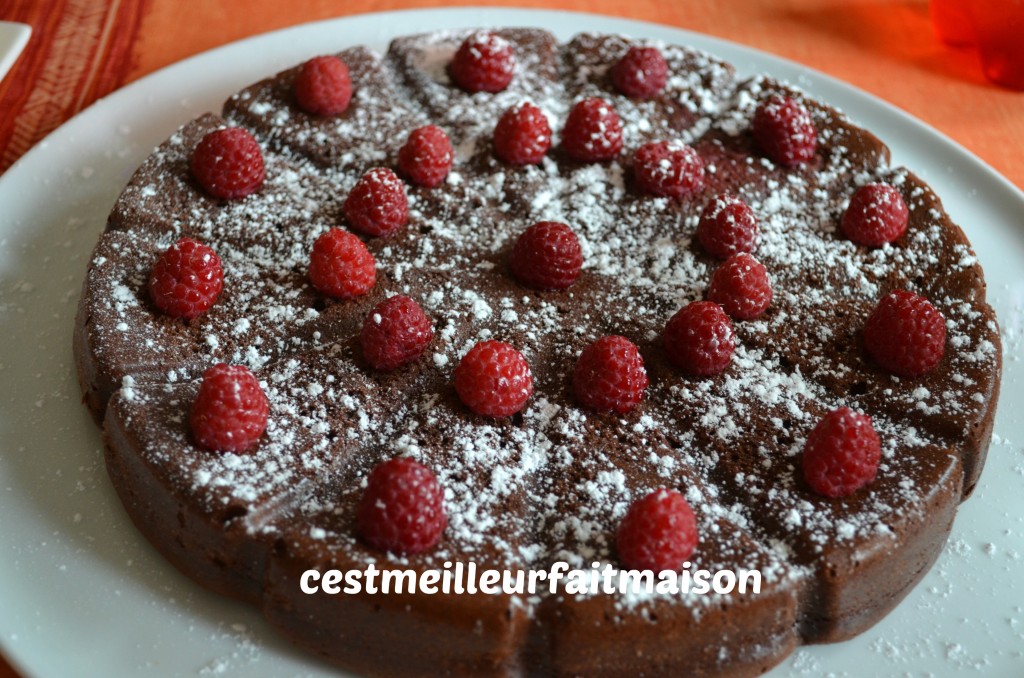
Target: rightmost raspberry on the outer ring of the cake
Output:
[{"x": 906, "y": 334}]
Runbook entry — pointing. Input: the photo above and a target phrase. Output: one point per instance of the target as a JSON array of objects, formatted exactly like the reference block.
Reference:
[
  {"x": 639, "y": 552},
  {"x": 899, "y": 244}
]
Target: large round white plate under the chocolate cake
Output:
[{"x": 84, "y": 595}]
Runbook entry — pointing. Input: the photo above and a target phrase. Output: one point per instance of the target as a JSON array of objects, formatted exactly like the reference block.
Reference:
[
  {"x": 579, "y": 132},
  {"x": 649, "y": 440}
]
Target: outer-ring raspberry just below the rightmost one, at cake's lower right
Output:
[{"x": 842, "y": 454}]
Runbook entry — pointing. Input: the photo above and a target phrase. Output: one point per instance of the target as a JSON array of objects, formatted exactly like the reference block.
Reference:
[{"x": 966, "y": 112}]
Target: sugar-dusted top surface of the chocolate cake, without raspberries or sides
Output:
[{"x": 552, "y": 483}]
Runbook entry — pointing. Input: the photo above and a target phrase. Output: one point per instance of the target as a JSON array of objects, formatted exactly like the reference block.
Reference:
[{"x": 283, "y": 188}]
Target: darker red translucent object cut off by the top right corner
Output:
[{"x": 999, "y": 27}]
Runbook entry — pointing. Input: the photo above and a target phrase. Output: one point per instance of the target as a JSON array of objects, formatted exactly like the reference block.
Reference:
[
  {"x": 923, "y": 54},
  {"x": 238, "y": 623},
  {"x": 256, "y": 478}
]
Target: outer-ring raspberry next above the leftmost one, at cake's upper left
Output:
[{"x": 229, "y": 163}]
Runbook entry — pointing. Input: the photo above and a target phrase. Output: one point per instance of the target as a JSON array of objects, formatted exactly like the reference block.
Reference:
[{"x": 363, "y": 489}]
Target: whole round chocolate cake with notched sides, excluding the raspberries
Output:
[{"x": 551, "y": 483}]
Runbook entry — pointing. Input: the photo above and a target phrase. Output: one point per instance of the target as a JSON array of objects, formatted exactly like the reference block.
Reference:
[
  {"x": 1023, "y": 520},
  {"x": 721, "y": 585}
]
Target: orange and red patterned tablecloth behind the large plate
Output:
[{"x": 83, "y": 50}]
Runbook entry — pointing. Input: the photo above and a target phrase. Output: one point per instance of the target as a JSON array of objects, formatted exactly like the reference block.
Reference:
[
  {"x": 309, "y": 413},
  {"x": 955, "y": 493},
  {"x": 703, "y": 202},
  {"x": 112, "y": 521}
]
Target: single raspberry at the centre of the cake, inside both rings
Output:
[{"x": 547, "y": 257}]
